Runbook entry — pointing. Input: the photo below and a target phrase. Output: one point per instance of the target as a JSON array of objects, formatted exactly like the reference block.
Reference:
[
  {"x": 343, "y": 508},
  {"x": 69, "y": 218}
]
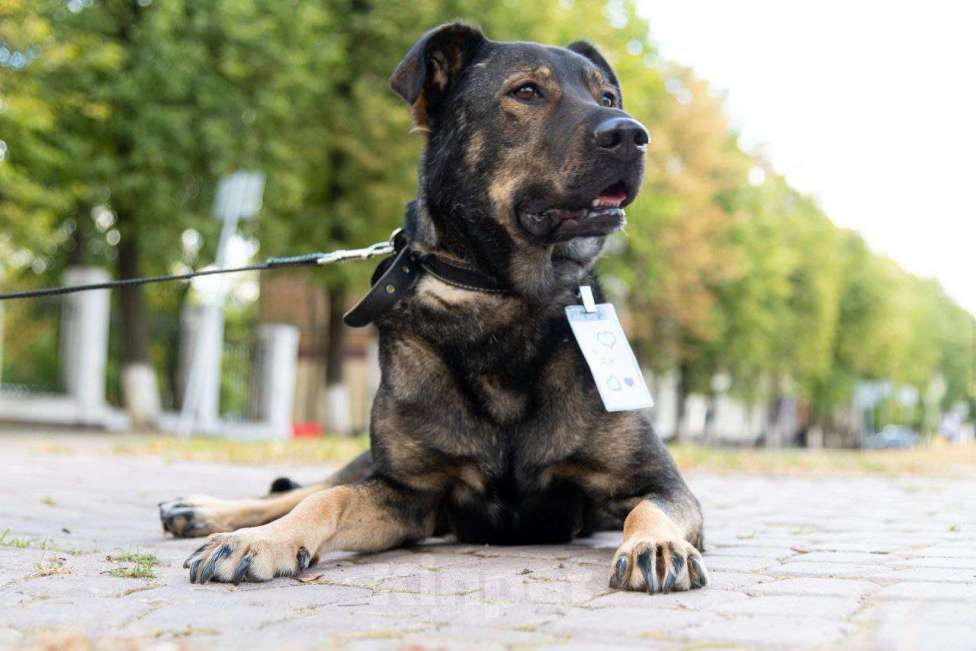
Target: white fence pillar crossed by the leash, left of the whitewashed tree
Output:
[{"x": 84, "y": 340}]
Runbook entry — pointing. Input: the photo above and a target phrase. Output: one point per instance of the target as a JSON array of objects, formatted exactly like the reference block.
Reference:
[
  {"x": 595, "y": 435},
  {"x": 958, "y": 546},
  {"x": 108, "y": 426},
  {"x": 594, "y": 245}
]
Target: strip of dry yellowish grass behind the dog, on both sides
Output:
[{"x": 934, "y": 459}]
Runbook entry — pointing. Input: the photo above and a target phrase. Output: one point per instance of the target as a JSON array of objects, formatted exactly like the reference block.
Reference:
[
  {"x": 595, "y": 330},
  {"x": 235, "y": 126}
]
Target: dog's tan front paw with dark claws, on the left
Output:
[{"x": 256, "y": 554}]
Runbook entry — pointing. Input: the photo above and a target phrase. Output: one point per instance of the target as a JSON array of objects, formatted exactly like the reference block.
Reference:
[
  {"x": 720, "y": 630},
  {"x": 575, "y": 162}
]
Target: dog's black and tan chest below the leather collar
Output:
[{"x": 490, "y": 409}]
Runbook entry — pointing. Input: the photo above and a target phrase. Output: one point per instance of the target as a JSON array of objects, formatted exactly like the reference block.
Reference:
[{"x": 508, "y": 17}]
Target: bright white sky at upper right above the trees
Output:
[{"x": 869, "y": 106}]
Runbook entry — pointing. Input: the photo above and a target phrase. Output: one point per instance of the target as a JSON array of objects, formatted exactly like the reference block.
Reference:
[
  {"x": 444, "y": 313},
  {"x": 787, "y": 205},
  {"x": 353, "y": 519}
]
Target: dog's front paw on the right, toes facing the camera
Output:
[{"x": 657, "y": 566}]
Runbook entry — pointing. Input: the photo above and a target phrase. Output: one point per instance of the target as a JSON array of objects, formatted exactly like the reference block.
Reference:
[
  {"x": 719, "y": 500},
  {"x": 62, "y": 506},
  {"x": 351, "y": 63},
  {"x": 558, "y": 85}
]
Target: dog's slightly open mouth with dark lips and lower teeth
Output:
[{"x": 599, "y": 215}]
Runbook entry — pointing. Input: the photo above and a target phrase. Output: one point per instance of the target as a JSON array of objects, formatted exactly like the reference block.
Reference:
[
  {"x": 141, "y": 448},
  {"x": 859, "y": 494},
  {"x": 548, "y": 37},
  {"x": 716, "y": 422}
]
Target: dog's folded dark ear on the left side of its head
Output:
[{"x": 434, "y": 62}]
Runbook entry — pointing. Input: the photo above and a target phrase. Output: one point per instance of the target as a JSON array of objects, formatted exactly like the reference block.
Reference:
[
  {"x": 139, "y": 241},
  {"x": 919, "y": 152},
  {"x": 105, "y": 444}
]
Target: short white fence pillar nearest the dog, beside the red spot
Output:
[{"x": 275, "y": 377}]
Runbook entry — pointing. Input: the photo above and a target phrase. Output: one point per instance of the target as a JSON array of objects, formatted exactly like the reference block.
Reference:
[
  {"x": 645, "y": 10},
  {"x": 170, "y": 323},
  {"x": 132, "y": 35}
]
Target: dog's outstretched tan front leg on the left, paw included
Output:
[{"x": 369, "y": 516}]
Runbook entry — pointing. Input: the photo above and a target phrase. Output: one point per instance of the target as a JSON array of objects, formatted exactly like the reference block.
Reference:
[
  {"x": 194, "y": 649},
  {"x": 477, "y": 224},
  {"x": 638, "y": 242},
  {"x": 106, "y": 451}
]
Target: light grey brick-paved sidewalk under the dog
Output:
[{"x": 794, "y": 563}]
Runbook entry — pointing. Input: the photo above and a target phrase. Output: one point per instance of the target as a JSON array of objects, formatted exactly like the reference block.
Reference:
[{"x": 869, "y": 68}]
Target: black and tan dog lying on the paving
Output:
[{"x": 487, "y": 424}]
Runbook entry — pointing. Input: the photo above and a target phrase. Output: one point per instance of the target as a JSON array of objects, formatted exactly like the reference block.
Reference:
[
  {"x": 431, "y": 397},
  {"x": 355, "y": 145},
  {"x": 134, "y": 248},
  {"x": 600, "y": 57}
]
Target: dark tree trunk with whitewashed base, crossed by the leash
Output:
[{"x": 139, "y": 391}]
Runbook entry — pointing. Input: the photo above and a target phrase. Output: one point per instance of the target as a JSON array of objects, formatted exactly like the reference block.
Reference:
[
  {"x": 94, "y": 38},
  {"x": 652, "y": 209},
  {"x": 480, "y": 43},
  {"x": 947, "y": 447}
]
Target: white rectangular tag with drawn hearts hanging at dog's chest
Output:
[{"x": 608, "y": 354}]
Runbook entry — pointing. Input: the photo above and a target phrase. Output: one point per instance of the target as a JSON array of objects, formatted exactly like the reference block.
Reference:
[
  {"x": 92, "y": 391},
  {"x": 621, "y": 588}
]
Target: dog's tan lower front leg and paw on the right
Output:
[{"x": 662, "y": 546}]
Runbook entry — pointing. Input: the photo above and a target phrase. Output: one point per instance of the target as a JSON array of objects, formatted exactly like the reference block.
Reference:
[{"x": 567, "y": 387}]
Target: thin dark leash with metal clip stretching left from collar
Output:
[{"x": 306, "y": 260}]
